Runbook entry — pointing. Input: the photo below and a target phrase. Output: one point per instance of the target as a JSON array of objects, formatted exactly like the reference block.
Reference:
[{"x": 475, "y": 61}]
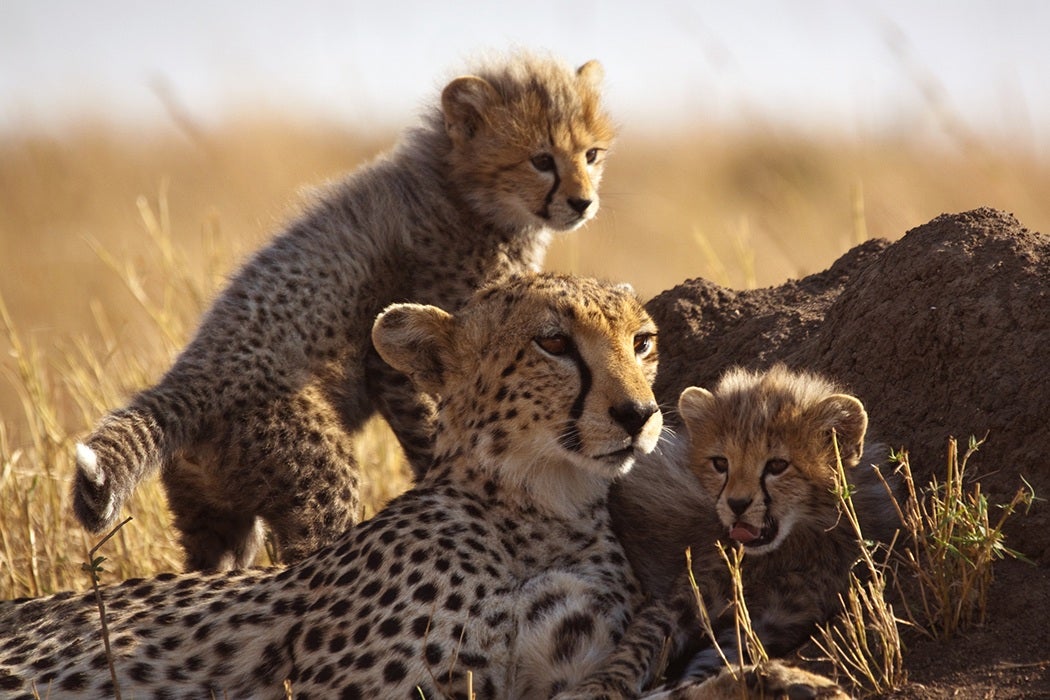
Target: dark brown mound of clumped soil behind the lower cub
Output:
[{"x": 944, "y": 333}]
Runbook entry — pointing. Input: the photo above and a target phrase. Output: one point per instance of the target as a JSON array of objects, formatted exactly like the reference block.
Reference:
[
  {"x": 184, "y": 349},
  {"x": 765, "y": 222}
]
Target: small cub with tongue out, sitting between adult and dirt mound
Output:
[{"x": 762, "y": 476}]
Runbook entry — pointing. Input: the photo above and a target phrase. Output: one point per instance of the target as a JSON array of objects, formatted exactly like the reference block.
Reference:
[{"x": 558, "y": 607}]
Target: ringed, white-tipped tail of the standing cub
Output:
[{"x": 123, "y": 451}]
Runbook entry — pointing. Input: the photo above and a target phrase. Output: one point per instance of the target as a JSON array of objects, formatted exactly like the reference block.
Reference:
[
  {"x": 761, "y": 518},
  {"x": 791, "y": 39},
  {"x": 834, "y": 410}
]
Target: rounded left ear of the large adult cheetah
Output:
[{"x": 415, "y": 340}]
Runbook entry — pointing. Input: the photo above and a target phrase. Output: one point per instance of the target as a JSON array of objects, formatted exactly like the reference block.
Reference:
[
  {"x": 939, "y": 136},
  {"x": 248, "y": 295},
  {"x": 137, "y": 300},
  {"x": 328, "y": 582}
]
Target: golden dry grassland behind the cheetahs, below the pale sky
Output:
[{"x": 113, "y": 242}]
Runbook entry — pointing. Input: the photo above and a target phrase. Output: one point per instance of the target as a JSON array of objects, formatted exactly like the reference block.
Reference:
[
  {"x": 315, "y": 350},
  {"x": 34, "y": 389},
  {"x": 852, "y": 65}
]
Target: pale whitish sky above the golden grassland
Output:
[{"x": 852, "y": 67}]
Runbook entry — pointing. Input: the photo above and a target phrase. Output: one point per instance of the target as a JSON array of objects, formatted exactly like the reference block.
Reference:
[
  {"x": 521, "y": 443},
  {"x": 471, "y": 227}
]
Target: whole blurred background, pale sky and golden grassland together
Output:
[{"x": 146, "y": 149}]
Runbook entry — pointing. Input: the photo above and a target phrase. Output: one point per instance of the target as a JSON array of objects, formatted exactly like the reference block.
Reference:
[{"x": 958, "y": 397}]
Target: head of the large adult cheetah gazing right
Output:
[{"x": 543, "y": 379}]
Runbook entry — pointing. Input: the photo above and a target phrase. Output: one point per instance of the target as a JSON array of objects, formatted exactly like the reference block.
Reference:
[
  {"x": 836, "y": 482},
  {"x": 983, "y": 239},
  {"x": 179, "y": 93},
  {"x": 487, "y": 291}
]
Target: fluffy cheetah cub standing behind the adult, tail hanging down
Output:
[{"x": 254, "y": 422}]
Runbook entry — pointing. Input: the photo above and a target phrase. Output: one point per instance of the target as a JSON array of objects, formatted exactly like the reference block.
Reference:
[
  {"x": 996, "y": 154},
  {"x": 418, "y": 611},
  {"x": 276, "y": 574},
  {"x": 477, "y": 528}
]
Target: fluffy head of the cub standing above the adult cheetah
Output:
[{"x": 530, "y": 140}]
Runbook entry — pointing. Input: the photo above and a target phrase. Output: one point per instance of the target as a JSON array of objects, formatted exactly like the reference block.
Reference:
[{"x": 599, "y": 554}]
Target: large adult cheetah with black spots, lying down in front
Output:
[{"x": 500, "y": 564}]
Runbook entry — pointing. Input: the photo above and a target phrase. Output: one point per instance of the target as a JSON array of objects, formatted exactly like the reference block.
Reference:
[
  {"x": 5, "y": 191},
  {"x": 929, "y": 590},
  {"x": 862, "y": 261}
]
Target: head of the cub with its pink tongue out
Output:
[{"x": 762, "y": 446}]
